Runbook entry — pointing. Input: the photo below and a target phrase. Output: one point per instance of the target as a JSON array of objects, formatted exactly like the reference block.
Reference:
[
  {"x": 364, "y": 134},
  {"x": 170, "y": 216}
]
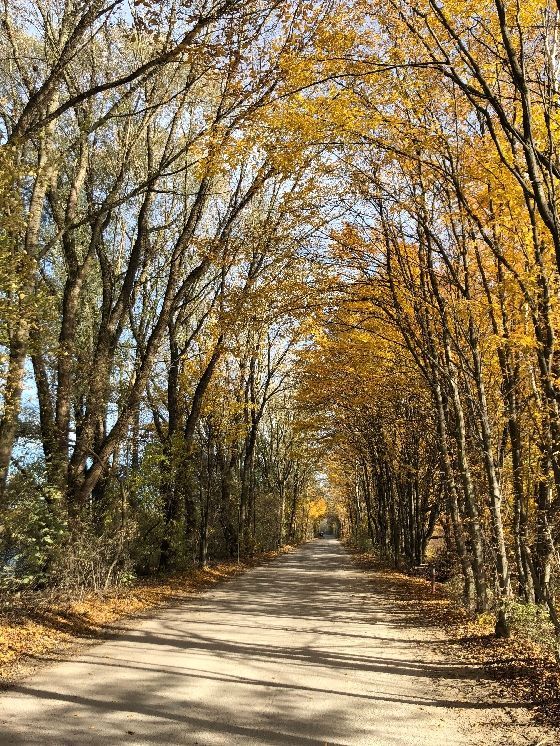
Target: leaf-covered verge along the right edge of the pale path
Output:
[{"x": 521, "y": 668}]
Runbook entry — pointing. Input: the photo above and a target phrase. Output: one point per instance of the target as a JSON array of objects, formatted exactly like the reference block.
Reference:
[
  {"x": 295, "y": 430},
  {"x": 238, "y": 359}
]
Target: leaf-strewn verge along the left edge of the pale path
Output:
[{"x": 37, "y": 626}]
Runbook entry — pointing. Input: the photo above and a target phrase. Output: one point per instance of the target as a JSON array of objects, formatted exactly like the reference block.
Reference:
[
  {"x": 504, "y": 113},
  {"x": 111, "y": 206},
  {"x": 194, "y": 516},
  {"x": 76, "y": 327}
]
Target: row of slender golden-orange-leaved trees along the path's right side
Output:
[{"x": 439, "y": 365}]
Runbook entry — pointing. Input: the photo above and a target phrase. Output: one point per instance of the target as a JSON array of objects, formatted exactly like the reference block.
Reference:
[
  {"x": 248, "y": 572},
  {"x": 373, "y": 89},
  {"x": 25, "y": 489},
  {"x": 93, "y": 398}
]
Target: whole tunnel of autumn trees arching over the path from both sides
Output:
[{"x": 265, "y": 261}]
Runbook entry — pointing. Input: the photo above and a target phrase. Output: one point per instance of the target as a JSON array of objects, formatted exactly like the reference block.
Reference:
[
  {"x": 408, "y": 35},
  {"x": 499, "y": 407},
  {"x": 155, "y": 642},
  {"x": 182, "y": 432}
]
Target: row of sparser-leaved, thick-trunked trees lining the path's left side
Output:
[{"x": 154, "y": 286}]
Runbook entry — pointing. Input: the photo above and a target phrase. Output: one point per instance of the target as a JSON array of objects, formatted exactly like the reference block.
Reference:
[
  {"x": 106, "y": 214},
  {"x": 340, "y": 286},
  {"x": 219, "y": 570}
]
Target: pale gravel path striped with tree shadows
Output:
[{"x": 296, "y": 652}]
